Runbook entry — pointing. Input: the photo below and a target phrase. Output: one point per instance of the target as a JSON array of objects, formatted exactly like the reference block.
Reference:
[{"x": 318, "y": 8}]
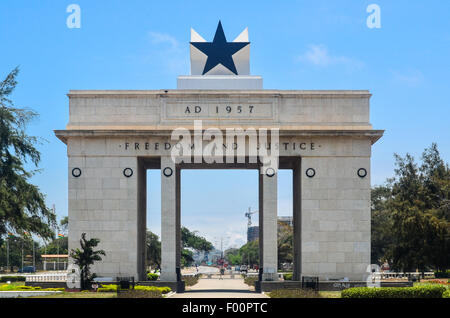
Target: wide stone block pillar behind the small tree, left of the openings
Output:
[{"x": 103, "y": 203}]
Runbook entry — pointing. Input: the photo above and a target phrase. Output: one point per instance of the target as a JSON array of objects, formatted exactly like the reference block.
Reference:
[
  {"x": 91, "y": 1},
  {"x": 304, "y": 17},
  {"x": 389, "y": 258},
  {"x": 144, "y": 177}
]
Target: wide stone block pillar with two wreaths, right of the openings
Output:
[{"x": 335, "y": 217}]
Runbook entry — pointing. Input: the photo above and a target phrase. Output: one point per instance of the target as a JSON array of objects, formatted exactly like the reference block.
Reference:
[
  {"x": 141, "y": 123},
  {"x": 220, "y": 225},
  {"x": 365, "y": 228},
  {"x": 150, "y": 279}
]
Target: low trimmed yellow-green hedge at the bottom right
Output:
[{"x": 425, "y": 291}]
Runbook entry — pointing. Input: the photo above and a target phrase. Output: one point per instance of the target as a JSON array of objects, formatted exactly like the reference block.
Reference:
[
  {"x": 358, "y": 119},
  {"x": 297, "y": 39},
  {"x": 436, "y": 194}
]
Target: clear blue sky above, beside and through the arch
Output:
[{"x": 294, "y": 45}]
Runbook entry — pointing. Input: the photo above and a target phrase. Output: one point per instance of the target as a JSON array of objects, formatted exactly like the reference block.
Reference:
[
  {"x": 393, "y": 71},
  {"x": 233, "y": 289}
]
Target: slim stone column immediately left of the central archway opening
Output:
[{"x": 168, "y": 220}]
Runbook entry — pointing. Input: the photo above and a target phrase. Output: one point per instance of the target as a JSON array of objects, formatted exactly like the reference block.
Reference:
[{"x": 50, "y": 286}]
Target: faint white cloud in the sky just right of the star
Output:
[{"x": 318, "y": 55}]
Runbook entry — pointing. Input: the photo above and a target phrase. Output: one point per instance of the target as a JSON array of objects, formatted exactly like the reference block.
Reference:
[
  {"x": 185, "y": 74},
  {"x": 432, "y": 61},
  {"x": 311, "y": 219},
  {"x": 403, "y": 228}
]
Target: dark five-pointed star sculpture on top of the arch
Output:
[{"x": 219, "y": 51}]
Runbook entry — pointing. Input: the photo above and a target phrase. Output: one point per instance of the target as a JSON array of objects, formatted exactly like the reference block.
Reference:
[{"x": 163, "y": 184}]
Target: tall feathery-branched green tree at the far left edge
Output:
[{"x": 22, "y": 205}]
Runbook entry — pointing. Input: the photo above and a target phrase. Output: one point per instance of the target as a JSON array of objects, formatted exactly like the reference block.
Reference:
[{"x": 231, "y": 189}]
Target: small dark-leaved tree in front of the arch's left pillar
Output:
[{"x": 85, "y": 257}]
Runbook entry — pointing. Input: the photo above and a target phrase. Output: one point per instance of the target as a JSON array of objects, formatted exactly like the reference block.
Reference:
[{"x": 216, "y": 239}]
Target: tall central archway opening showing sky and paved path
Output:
[{"x": 214, "y": 203}]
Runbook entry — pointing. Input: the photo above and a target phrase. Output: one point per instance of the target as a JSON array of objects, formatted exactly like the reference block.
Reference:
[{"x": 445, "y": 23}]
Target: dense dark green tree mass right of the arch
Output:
[{"x": 410, "y": 215}]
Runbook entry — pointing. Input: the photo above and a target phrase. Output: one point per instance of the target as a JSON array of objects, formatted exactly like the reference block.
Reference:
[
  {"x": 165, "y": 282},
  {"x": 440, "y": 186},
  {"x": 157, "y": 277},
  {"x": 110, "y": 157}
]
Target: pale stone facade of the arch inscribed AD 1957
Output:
[{"x": 328, "y": 131}]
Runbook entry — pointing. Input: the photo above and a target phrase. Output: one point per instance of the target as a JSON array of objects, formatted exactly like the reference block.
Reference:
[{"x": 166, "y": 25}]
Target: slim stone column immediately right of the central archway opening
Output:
[{"x": 268, "y": 223}]
